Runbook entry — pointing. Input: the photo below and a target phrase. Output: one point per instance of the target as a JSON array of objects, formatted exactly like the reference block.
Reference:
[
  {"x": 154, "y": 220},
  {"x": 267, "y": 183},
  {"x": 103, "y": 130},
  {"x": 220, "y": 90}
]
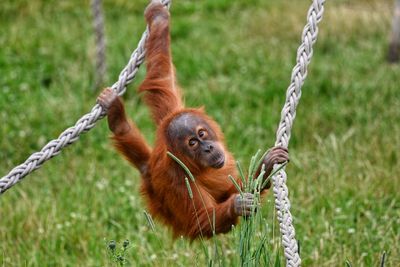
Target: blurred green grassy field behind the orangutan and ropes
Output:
[{"x": 234, "y": 57}]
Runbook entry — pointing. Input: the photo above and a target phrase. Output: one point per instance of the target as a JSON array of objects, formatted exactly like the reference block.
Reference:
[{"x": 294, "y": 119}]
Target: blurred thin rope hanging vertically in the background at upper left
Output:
[{"x": 98, "y": 24}]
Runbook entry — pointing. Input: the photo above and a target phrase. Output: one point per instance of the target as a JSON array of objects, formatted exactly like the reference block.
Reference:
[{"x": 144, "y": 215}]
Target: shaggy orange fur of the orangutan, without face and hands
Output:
[{"x": 163, "y": 183}]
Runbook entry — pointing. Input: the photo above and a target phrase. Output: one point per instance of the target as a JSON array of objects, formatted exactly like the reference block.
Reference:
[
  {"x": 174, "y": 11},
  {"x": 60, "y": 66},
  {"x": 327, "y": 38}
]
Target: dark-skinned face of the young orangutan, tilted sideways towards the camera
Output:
[{"x": 192, "y": 136}]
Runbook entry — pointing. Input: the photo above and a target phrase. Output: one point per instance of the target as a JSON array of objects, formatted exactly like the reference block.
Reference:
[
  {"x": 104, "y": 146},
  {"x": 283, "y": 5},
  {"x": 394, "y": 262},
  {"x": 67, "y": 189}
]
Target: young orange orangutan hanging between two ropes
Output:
[{"x": 190, "y": 135}]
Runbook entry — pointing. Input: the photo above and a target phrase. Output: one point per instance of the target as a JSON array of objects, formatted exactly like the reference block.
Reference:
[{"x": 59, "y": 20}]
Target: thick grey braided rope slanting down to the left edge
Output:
[{"x": 84, "y": 124}]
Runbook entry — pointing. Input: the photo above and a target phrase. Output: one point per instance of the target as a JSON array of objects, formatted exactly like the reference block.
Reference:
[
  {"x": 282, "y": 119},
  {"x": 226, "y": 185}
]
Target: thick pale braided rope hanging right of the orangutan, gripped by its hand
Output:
[{"x": 288, "y": 114}]
